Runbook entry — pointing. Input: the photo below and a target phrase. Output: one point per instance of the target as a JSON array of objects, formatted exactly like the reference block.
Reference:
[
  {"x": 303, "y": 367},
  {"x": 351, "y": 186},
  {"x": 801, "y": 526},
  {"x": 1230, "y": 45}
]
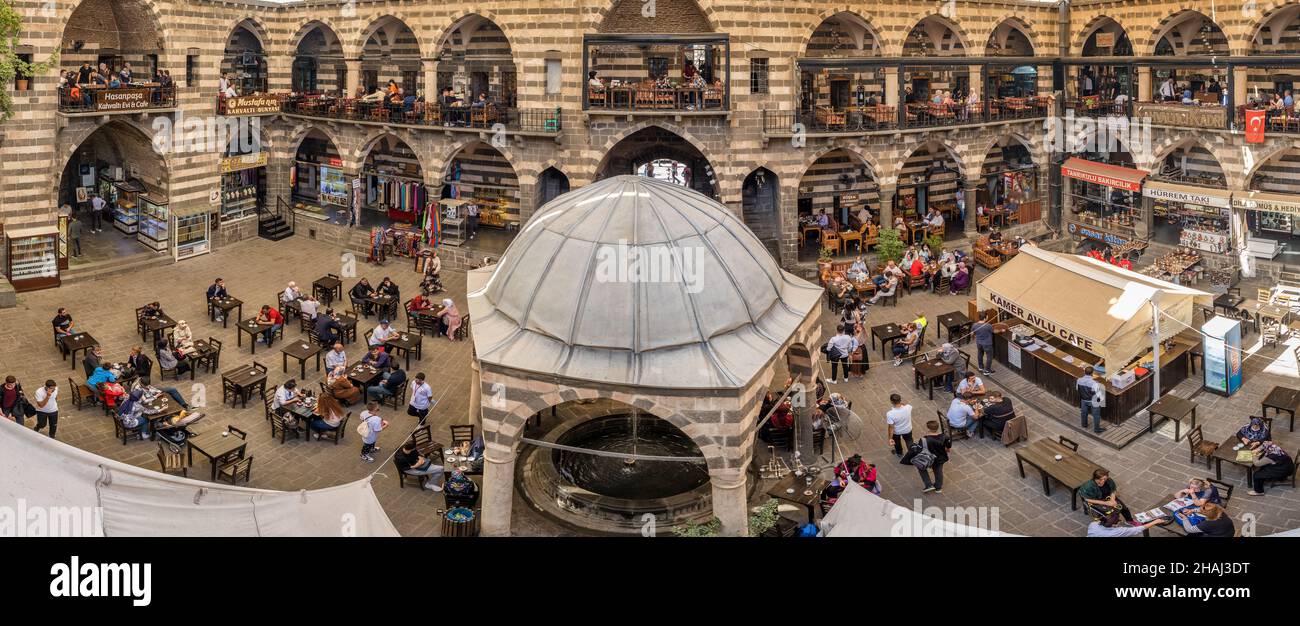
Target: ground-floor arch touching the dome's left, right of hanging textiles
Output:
[{"x": 483, "y": 179}]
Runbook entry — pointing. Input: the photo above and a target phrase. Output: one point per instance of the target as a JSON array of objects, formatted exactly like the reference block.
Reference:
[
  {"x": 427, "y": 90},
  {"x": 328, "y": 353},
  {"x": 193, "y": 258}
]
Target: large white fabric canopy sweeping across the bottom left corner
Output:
[{"x": 44, "y": 477}]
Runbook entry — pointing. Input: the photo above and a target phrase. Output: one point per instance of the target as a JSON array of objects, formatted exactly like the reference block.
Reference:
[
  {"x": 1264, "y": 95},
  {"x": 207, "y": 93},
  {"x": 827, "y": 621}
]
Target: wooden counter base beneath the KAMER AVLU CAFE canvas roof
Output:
[{"x": 1059, "y": 376}]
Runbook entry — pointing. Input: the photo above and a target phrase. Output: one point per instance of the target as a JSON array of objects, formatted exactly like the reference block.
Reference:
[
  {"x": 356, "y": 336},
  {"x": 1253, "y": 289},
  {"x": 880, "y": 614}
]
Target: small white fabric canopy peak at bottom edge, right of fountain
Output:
[{"x": 863, "y": 514}]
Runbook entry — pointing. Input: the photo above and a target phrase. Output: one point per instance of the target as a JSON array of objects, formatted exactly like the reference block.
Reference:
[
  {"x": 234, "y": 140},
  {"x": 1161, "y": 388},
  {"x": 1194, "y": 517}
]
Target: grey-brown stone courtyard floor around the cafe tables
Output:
[{"x": 982, "y": 473}]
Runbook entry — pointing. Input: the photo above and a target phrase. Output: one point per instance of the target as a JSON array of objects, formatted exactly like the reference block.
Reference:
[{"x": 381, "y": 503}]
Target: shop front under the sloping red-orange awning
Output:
[{"x": 1103, "y": 202}]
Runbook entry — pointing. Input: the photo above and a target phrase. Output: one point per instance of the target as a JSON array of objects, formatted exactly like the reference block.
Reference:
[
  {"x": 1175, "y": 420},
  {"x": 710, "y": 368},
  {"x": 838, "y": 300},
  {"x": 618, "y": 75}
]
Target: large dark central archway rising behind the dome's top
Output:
[{"x": 662, "y": 154}]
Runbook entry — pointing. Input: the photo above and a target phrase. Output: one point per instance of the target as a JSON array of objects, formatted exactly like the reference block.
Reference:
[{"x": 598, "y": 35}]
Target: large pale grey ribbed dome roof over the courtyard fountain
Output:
[{"x": 634, "y": 281}]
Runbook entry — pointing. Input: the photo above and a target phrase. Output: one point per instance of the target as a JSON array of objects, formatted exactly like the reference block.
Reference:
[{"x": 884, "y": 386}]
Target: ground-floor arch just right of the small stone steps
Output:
[{"x": 318, "y": 184}]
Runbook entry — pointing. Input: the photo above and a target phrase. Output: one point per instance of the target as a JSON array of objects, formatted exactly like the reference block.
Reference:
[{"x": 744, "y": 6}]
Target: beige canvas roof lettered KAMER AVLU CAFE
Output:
[{"x": 1090, "y": 305}]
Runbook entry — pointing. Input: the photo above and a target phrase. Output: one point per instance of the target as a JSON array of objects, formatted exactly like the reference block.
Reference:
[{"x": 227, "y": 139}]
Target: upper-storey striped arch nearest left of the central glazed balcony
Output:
[{"x": 475, "y": 59}]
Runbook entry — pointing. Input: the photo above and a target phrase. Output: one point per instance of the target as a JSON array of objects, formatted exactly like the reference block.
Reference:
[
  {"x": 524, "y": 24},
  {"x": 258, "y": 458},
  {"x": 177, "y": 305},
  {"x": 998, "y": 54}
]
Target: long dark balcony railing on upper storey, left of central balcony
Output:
[{"x": 430, "y": 115}]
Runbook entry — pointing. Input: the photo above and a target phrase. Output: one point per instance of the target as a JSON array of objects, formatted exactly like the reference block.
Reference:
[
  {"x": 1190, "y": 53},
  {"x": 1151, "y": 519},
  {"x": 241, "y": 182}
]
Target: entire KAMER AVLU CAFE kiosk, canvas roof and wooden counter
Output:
[{"x": 1061, "y": 314}]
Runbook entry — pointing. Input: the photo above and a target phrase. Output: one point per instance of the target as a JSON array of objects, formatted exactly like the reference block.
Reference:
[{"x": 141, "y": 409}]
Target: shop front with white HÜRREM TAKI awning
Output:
[{"x": 1191, "y": 218}]
